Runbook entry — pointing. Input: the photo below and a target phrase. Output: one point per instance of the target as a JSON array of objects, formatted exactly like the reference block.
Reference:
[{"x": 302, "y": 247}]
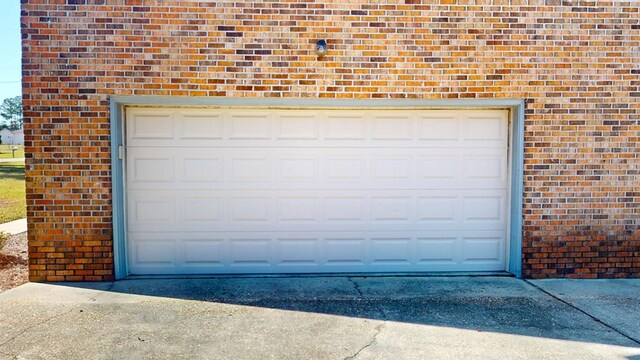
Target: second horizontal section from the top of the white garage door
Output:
[{"x": 203, "y": 168}]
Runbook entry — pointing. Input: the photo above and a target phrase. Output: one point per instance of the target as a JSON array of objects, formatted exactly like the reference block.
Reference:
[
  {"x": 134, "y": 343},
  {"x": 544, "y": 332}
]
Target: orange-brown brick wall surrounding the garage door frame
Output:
[{"x": 577, "y": 63}]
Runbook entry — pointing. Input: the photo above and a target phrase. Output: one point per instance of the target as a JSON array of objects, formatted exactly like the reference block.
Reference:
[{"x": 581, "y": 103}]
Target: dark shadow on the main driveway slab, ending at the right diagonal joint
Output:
[{"x": 484, "y": 304}]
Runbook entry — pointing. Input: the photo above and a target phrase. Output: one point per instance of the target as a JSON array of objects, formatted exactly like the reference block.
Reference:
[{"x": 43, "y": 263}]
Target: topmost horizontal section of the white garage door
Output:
[{"x": 320, "y": 128}]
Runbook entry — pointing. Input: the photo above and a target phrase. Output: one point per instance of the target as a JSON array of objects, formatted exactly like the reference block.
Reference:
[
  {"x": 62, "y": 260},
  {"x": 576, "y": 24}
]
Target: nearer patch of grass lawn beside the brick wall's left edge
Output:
[{"x": 13, "y": 205}]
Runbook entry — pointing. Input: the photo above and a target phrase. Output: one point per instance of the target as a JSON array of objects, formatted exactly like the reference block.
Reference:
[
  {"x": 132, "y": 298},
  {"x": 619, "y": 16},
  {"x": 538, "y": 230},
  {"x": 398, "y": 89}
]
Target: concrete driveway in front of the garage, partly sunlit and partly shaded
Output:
[{"x": 323, "y": 318}]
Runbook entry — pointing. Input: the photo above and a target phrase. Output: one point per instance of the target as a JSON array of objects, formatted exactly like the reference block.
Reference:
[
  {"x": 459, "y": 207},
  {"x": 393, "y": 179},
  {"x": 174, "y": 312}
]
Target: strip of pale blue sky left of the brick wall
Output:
[{"x": 10, "y": 49}]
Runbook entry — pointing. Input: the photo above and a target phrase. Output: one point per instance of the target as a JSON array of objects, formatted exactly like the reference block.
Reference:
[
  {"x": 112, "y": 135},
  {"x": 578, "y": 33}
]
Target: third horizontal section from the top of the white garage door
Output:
[{"x": 302, "y": 210}]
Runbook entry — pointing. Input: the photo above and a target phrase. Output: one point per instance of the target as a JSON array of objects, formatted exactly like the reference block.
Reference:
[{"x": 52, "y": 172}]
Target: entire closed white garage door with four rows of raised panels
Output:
[{"x": 312, "y": 191}]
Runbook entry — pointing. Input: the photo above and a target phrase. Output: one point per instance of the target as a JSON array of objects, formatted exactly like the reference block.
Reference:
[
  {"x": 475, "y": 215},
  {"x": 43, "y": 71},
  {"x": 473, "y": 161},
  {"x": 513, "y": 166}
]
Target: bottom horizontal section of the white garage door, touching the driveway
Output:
[{"x": 244, "y": 252}]
